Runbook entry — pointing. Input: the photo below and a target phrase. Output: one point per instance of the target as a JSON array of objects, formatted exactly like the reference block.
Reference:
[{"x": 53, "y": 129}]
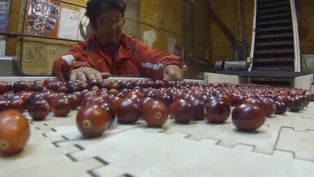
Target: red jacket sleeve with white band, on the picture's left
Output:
[{"x": 73, "y": 59}]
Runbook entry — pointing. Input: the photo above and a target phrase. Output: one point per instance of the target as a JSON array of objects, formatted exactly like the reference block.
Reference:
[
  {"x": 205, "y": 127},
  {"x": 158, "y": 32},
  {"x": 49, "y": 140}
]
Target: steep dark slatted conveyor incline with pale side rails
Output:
[{"x": 275, "y": 41}]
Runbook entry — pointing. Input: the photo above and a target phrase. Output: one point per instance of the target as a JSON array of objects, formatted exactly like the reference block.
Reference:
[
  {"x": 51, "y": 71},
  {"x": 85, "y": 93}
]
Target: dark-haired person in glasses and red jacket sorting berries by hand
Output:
[{"x": 109, "y": 52}]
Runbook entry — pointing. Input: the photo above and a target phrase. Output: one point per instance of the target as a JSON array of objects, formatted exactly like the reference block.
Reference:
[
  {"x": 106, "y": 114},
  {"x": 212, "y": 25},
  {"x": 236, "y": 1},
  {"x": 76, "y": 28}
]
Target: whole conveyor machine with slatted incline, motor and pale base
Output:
[{"x": 275, "y": 50}]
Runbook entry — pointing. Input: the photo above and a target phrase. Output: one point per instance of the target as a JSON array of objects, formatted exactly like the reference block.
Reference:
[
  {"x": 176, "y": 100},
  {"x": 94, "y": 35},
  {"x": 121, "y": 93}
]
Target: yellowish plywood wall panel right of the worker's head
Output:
[{"x": 161, "y": 23}]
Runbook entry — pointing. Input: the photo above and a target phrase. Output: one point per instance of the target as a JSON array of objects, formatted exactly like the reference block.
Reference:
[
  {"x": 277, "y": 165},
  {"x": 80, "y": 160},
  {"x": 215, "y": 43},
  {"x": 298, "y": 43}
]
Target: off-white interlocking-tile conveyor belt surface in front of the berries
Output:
[{"x": 56, "y": 149}]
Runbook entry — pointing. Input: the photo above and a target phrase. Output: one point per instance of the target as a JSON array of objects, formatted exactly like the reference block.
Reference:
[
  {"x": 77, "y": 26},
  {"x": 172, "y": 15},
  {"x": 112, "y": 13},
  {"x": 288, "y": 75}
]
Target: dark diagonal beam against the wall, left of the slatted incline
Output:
[{"x": 222, "y": 26}]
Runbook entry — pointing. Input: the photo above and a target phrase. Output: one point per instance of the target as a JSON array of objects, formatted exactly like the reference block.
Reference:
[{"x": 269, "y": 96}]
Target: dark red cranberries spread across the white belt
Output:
[{"x": 100, "y": 104}]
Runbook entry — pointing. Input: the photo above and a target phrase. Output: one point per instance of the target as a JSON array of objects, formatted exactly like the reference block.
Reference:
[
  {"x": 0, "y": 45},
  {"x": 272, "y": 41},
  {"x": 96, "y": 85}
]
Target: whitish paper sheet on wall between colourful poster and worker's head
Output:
[{"x": 69, "y": 22}]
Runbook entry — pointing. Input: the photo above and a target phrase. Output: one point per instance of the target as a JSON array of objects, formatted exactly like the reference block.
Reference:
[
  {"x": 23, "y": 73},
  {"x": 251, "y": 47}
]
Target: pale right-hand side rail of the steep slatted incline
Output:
[{"x": 297, "y": 55}]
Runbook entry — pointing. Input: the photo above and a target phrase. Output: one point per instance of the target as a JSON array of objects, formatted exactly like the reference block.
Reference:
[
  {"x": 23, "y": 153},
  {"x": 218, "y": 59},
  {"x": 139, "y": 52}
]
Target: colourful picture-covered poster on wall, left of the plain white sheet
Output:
[{"x": 43, "y": 18}]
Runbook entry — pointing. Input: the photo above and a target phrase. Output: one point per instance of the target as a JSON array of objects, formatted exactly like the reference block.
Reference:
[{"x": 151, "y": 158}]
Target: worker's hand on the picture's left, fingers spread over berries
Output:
[{"x": 86, "y": 73}]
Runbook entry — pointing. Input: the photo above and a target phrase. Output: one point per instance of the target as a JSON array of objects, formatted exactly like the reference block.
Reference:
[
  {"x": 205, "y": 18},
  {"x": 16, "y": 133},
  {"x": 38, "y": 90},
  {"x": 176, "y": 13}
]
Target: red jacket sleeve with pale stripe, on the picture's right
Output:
[{"x": 152, "y": 62}]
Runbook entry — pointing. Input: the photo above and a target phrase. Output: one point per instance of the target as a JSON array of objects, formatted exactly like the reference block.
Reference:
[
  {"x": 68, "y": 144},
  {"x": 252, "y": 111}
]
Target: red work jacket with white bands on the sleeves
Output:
[{"x": 133, "y": 59}]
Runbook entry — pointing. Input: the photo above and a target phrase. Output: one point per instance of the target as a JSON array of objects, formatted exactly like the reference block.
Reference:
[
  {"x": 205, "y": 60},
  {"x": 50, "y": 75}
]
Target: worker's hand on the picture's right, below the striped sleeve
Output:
[{"x": 173, "y": 73}]
